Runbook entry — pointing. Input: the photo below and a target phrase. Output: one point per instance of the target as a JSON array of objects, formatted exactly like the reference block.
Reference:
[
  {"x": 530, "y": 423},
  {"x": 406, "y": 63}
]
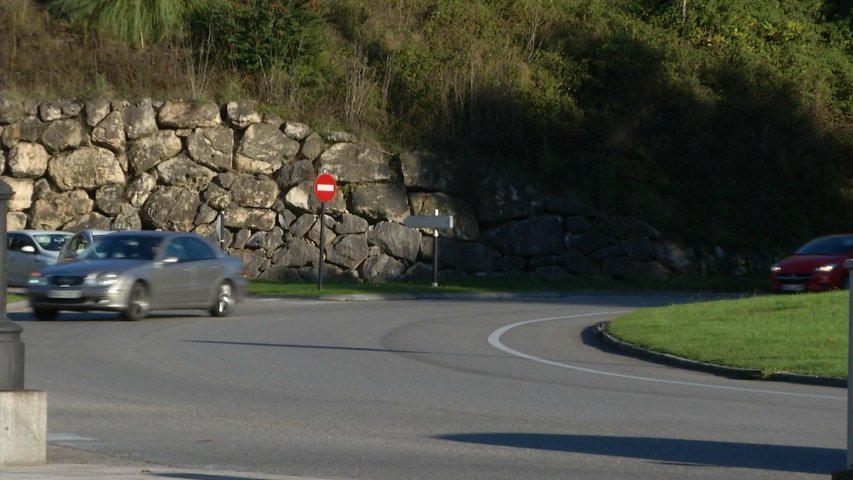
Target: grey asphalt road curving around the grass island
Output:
[{"x": 412, "y": 389}]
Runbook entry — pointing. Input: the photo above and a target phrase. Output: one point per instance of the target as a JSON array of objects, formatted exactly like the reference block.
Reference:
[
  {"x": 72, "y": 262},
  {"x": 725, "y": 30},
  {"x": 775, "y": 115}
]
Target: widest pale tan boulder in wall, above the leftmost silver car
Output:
[{"x": 85, "y": 168}]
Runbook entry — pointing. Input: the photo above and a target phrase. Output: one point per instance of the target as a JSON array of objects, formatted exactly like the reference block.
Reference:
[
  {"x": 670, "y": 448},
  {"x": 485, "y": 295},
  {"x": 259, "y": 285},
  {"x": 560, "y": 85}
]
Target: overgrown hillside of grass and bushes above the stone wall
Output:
[{"x": 723, "y": 124}]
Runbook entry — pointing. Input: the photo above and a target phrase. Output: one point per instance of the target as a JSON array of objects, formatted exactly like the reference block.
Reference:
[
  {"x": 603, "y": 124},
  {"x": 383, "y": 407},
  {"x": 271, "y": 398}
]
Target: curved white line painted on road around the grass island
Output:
[{"x": 495, "y": 341}]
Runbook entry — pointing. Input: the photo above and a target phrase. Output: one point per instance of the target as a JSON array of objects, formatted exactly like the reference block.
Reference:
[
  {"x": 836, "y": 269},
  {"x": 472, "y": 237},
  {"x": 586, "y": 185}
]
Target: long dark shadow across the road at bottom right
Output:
[{"x": 811, "y": 460}]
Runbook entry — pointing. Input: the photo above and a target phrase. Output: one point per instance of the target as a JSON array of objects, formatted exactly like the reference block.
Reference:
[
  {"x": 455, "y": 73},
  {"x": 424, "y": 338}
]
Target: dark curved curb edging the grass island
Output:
[{"x": 722, "y": 370}]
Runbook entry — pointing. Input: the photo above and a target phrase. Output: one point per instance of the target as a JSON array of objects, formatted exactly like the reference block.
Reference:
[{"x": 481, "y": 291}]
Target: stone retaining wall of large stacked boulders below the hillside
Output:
[{"x": 176, "y": 166}]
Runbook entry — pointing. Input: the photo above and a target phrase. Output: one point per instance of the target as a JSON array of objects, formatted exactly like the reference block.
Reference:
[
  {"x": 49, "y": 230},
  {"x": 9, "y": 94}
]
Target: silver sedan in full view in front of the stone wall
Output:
[{"x": 134, "y": 272}]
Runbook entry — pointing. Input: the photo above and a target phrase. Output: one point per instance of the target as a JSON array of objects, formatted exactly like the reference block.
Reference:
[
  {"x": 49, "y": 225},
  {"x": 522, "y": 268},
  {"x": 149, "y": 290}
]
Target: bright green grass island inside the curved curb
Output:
[{"x": 805, "y": 334}]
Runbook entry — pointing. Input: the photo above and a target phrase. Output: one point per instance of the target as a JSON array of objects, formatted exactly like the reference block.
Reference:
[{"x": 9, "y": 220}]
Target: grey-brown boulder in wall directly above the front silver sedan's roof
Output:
[{"x": 170, "y": 208}]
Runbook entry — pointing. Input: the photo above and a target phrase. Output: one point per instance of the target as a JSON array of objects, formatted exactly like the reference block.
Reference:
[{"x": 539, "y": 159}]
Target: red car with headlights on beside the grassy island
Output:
[{"x": 816, "y": 266}]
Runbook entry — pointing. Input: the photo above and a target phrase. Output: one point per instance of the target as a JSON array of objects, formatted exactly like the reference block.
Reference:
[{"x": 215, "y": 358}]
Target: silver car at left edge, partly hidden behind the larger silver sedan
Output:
[{"x": 31, "y": 250}]
